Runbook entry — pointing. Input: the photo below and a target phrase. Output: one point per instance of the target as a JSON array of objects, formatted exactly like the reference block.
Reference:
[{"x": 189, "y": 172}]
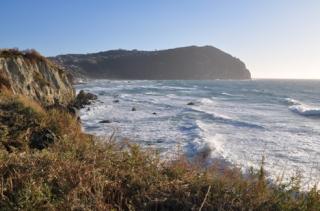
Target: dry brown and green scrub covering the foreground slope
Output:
[{"x": 78, "y": 172}]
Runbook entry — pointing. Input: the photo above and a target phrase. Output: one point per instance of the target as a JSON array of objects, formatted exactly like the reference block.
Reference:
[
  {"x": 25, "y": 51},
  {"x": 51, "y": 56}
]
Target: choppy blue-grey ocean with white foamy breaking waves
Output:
[{"x": 240, "y": 122}]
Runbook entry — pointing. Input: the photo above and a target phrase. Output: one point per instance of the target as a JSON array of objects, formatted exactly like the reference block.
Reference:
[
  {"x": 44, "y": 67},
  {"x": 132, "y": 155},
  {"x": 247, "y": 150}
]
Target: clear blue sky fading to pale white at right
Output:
[{"x": 275, "y": 38}]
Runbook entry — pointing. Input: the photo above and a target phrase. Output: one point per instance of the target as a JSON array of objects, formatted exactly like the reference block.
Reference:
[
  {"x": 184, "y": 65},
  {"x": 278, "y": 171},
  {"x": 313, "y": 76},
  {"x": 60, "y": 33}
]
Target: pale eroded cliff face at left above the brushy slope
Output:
[{"x": 32, "y": 75}]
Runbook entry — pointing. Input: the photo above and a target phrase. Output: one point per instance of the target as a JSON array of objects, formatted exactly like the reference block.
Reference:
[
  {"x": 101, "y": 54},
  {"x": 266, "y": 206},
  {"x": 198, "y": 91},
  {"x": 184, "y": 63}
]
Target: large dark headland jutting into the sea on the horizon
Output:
[{"x": 192, "y": 63}]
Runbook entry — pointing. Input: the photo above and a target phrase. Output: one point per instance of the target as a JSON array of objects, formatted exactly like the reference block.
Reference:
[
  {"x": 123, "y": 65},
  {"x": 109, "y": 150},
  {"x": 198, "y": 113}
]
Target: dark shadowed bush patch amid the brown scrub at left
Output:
[{"x": 42, "y": 139}]
